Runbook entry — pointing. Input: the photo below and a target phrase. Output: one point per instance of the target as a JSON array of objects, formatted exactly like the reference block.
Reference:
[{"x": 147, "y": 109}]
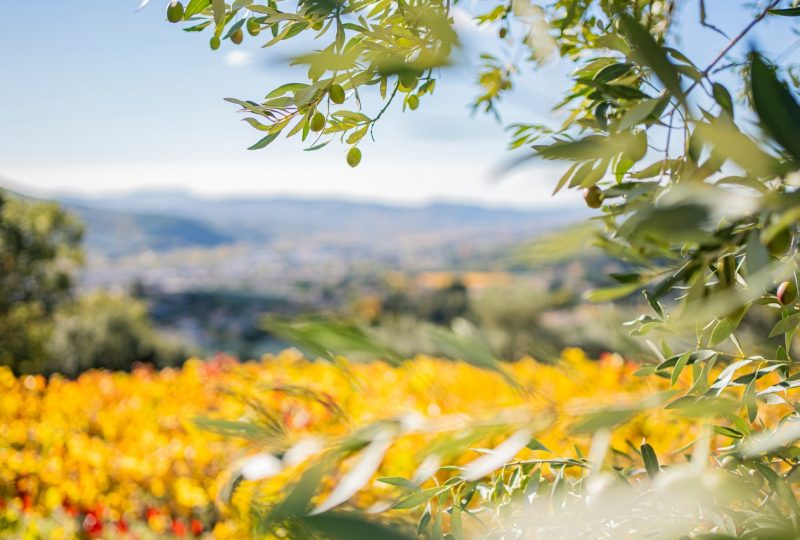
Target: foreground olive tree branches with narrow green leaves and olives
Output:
[{"x": 693, "y": 171}]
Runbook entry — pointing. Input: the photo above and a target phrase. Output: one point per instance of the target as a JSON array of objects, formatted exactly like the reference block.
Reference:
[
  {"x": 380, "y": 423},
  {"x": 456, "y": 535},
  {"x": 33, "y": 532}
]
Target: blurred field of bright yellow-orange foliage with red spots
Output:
[{"x": 112, "y": 453}]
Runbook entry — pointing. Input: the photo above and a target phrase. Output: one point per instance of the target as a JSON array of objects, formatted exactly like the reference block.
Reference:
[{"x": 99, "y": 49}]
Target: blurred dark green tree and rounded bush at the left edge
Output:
[{"x": 44, "y": 328}]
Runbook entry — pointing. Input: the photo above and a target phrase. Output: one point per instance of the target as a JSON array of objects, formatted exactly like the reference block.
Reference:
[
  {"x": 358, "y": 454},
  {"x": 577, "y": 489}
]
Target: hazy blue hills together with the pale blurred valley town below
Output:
[{"x": 176, "y": 242}]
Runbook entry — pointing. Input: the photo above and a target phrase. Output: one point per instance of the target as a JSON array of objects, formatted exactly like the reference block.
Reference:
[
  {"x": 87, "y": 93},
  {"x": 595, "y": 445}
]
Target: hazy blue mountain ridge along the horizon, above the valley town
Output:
[{"x": 257, "y": 220}]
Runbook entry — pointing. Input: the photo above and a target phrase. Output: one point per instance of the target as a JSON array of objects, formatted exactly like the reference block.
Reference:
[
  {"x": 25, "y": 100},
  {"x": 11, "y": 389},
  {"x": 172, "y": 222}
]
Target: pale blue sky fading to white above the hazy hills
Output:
[{"x": 98, "y": 98}]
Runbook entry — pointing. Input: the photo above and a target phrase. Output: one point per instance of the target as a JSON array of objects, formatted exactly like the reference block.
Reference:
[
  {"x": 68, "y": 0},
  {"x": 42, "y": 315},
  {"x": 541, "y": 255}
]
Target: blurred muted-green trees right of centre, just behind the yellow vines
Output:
[{"x": 531, "y": 315}]
